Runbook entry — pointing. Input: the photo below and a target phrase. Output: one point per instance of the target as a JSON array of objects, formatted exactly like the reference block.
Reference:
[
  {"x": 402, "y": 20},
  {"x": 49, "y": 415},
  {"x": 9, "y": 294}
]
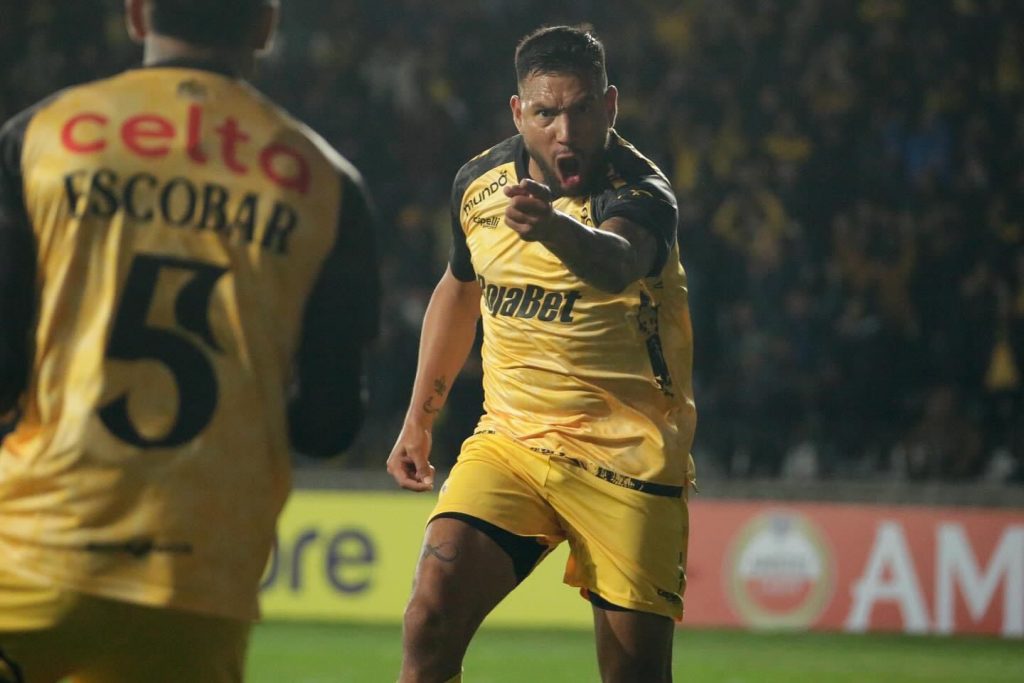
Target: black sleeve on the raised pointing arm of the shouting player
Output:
[{"x": 649, "y": 202}]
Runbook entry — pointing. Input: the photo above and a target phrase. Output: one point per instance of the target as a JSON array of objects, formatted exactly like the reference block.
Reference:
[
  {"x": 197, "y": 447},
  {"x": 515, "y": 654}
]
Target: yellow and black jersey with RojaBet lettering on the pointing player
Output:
[{"x": 603, "y": 379}]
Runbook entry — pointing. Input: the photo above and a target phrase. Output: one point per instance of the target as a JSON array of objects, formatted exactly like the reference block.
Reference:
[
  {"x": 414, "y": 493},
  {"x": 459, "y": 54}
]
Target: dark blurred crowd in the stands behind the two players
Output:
[{"x": 851, "y": 185}]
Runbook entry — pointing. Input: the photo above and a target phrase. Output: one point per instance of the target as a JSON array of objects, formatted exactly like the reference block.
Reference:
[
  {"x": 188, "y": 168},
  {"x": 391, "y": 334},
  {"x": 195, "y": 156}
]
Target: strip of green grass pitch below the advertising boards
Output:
[{"x": 360, "y": 654}]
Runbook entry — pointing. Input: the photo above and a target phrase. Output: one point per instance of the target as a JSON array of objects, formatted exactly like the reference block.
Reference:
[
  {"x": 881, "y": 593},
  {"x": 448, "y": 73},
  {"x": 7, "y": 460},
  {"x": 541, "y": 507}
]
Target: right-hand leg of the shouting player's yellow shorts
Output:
[{"x": 628, "y": 546}]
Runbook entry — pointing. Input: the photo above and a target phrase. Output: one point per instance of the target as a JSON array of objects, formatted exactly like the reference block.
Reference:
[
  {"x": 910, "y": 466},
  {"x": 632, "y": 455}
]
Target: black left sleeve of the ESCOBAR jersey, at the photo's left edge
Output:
[{"x": 18, "y": 265}]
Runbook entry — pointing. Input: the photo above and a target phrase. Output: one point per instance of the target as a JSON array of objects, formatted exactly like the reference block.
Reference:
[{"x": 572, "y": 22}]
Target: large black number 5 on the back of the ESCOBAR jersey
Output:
[{"x": 135, "y": 339}]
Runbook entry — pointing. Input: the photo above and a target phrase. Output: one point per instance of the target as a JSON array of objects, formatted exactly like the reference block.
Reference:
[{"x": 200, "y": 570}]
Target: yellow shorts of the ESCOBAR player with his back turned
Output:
[{"x": 49, "y": 634}]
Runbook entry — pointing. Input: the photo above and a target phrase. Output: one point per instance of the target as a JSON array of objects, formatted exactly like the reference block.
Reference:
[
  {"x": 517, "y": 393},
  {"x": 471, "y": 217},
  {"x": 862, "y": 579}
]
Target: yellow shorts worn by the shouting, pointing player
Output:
[{"x": 627, "y": 546}]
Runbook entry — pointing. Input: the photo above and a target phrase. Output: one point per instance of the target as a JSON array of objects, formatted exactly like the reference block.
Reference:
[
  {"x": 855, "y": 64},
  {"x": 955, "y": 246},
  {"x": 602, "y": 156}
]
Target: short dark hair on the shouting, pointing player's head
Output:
[{"x": 562, "y": 50}]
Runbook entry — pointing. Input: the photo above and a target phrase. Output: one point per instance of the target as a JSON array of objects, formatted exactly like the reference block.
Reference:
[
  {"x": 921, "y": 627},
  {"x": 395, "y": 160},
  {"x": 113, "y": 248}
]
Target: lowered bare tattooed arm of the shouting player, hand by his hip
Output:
[{"x": 449, "y": 330}]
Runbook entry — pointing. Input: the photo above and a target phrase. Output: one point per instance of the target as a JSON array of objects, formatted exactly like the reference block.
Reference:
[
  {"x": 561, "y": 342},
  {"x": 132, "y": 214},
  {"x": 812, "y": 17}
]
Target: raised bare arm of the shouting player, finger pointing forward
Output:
[{"x": 610, "y": 259}]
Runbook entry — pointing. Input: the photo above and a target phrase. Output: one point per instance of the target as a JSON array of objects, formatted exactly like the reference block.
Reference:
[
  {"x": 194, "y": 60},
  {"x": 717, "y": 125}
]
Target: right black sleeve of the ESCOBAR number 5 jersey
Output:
[{"x": 342, "y": 318}]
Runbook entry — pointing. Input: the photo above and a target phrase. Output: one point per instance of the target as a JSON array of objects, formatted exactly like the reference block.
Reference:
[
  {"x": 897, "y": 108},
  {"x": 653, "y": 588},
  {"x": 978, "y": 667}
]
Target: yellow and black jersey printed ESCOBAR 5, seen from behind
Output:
[{"x": 179, "y": 258}]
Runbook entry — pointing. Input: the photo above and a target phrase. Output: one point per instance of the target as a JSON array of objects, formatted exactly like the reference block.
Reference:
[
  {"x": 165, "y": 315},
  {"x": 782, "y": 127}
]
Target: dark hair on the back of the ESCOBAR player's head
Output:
[{"x": 206, "y": 23}]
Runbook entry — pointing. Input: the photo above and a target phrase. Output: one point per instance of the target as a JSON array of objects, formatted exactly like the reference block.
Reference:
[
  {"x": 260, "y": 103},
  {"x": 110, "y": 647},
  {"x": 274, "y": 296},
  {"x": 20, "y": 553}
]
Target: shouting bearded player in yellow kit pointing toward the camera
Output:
[{"x": 565, "y": 240}]
